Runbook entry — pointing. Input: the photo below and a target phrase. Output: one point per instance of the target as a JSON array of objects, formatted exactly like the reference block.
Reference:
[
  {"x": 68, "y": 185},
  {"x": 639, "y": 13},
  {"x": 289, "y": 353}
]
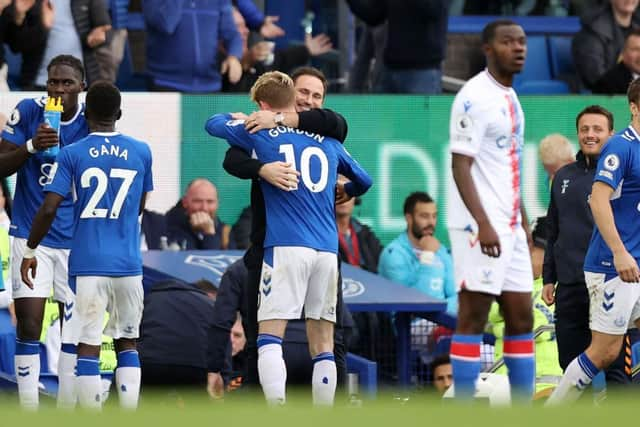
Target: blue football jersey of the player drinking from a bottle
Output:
[{"x": 34, "y": 173}]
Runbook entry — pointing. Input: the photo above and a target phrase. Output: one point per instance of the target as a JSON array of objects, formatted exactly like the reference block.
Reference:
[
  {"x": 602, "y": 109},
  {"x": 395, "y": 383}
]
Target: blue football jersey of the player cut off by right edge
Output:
[{"x": 618, "y": 167}]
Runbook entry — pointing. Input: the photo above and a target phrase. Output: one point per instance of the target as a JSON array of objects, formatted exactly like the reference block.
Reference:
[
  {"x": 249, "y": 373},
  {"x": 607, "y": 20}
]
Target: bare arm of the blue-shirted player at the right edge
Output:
[{"x": 625, "y": 264}]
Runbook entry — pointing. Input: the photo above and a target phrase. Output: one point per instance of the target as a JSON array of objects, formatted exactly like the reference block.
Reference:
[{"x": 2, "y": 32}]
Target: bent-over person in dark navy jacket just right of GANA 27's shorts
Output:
[{"x": 173, "y": 333}]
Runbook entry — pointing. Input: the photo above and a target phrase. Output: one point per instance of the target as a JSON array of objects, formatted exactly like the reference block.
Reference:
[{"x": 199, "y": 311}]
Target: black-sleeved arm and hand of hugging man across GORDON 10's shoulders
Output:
[{"x": 320, "y": 121}]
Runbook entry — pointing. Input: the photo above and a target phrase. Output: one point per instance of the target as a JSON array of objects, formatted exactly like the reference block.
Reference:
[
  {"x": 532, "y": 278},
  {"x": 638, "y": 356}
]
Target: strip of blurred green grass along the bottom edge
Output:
[{"x": 392, "y": 409}]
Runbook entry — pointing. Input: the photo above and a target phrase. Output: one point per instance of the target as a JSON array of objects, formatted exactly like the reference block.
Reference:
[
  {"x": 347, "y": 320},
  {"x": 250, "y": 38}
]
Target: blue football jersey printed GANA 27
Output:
[{"x": 108, "y": 174}]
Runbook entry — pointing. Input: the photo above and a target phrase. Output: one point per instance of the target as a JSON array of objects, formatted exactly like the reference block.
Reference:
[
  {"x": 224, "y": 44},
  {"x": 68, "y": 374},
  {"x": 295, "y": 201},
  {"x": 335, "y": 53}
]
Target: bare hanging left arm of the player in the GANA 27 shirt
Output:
[{"x": 39, "y": 228}]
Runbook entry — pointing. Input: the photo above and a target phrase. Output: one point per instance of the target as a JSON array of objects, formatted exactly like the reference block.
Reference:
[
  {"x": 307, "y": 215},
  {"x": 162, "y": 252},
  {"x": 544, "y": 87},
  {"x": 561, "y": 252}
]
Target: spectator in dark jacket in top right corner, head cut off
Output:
[{"x": 598, "y": 44}]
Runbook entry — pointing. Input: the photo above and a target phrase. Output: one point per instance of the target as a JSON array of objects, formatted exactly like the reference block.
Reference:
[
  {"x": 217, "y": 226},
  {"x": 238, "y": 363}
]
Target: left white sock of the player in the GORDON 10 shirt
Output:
[{"x": 272, "y": 372}]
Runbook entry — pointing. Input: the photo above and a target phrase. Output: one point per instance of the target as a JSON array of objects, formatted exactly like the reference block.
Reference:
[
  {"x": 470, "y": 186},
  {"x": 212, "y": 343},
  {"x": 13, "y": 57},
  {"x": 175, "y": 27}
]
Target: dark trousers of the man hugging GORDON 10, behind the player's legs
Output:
[{"x": 253, "y": 261}]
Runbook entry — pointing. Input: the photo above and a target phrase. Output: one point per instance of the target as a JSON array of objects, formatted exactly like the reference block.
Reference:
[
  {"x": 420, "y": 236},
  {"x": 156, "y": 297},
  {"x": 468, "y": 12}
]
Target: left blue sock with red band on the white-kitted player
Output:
[{"x": 465, "y": 363}]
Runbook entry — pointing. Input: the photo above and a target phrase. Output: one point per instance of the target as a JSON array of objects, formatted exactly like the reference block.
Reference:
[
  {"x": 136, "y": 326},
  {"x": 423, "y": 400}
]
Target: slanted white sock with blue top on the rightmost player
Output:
[{"x": 576, "y": 378}]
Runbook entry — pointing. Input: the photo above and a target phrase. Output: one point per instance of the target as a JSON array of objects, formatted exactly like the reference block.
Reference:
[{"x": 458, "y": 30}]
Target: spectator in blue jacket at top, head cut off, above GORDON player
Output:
[{"x": 182, "y": 45}]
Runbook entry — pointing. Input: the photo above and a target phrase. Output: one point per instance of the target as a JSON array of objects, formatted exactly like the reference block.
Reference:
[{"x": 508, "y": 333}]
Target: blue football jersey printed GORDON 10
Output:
[{"x": 305, "y": 216}]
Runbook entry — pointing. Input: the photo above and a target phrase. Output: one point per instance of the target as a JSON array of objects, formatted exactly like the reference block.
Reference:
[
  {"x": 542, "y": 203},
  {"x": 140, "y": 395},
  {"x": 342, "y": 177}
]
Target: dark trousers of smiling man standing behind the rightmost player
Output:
[{"x": 574, "y": 336}]
